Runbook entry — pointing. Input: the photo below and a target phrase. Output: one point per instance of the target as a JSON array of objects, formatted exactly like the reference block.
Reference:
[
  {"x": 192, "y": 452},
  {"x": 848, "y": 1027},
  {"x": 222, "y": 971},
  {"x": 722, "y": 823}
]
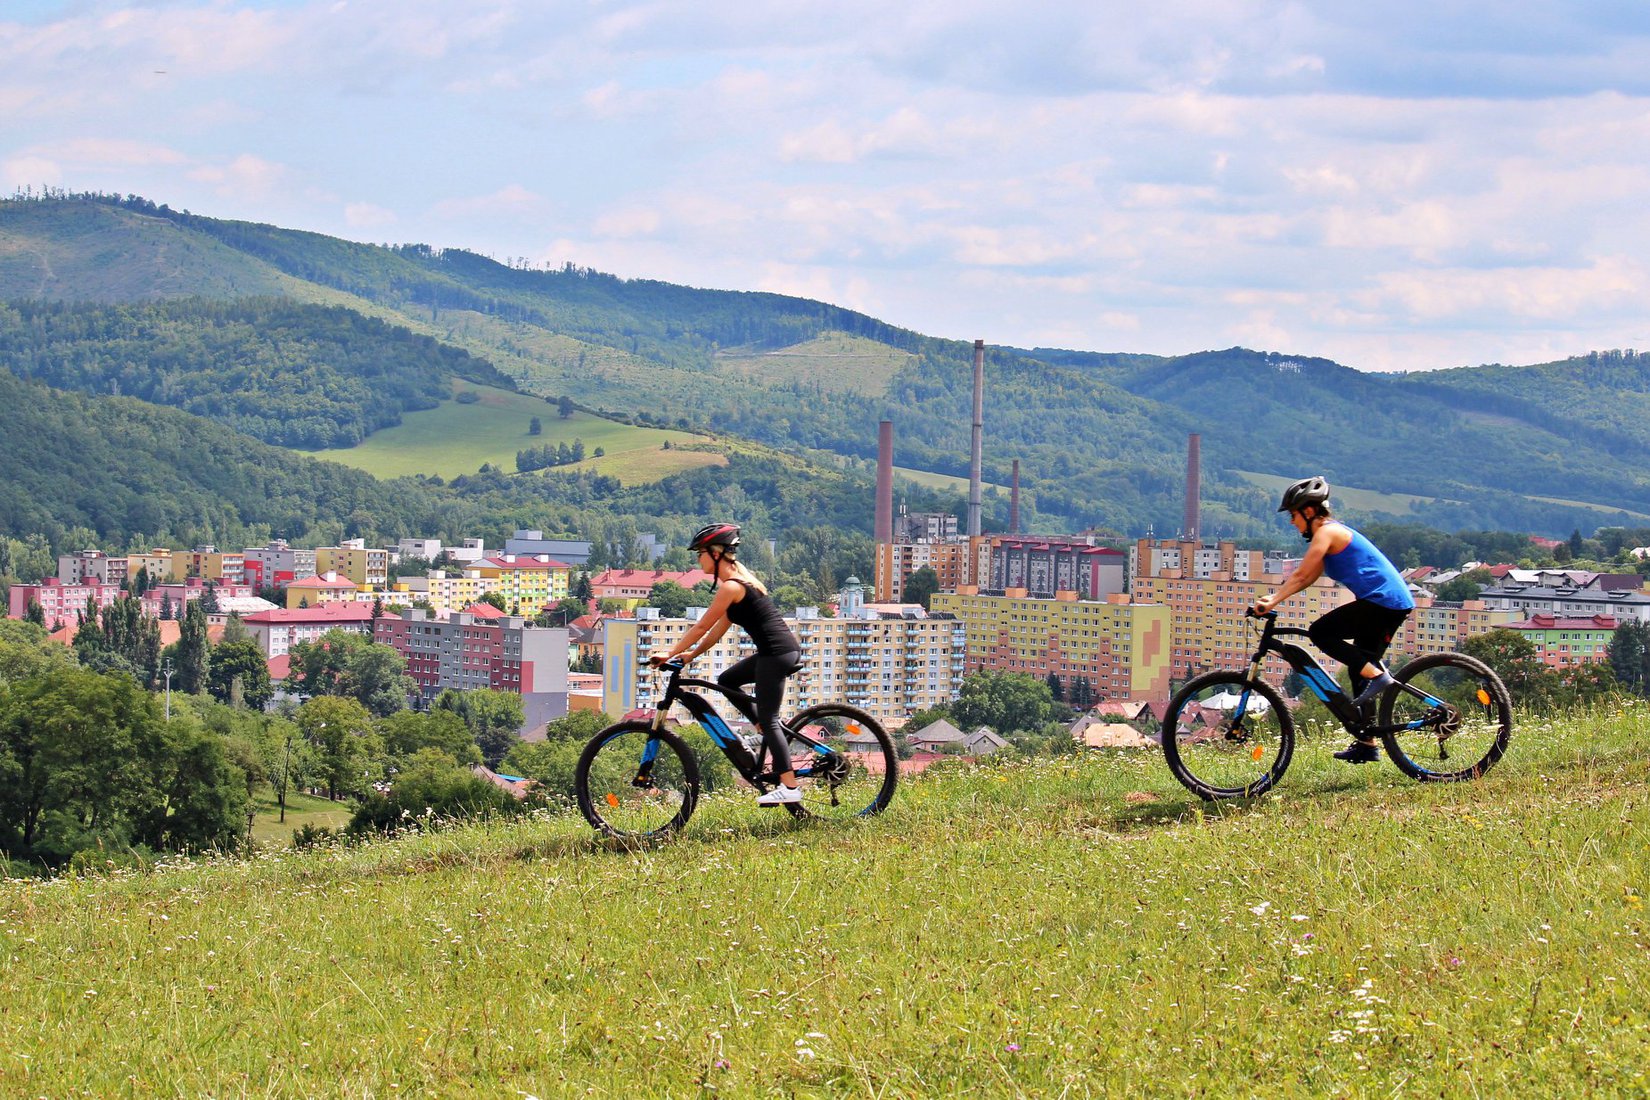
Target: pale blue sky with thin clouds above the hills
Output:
[{"x": 1397, "y": 187}]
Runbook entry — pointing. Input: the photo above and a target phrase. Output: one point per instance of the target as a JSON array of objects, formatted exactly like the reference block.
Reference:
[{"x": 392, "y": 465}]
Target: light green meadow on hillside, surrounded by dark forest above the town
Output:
[{"x": 458, "y": 440}]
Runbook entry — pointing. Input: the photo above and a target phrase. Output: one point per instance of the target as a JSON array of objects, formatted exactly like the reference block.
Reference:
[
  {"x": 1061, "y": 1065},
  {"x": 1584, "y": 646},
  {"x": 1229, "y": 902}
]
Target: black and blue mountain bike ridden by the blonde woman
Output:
[{"x": 641, "y": 781}]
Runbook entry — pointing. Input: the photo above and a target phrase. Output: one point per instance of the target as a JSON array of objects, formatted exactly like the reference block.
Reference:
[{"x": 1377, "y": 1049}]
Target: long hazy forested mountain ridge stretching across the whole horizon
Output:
[{"x": 1100, "y": 438}]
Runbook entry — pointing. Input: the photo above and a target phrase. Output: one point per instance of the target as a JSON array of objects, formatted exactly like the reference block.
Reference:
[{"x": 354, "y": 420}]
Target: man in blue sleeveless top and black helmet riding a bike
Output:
[{"x": 1354, "y": 634}]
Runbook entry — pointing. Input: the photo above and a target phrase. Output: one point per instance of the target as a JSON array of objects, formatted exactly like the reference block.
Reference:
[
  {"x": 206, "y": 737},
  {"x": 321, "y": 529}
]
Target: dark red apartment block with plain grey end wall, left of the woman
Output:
[{"x": 464, "y": 652}]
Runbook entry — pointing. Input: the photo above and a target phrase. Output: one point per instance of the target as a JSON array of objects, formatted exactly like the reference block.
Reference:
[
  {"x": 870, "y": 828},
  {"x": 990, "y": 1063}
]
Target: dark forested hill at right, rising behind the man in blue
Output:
[{"x": 1494, "y": 446}]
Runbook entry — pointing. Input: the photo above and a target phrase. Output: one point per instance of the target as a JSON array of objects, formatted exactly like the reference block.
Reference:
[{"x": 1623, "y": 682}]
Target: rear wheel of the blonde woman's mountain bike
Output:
[{"x": 846, "y": 763}]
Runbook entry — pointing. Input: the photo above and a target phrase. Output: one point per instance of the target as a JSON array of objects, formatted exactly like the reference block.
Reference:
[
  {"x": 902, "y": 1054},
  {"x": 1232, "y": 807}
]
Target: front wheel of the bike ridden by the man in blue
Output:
[{"x": 1227, "y": 736}]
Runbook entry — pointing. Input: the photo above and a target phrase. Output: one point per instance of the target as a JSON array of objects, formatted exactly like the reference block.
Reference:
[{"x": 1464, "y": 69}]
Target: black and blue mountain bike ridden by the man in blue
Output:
[{"x": 1228, "y": 735}]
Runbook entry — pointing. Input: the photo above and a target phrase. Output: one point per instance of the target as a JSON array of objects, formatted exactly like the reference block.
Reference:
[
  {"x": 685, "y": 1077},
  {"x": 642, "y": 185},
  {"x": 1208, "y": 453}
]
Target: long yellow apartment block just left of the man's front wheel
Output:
[{"x": 1116, "y": 647}]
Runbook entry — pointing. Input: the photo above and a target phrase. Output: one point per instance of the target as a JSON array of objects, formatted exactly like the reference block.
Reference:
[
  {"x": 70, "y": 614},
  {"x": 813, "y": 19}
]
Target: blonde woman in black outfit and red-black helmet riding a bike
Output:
[{"x": 743, "y": 601}]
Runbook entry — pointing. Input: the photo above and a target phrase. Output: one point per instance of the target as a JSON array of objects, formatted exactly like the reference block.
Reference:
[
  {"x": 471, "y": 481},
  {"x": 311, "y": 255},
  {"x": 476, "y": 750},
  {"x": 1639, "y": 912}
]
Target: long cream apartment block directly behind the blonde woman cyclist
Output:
[{"x": 889, "y": 664}]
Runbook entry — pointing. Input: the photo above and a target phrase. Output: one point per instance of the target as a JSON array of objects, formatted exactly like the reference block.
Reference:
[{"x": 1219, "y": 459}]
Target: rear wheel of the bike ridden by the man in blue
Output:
[{"x": 1456, "y": 713}]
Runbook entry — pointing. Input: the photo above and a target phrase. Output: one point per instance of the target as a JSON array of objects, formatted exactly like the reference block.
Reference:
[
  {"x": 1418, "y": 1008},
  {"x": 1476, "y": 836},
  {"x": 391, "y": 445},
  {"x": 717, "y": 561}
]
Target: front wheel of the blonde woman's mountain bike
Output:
[{"x": 636, "y": 783}]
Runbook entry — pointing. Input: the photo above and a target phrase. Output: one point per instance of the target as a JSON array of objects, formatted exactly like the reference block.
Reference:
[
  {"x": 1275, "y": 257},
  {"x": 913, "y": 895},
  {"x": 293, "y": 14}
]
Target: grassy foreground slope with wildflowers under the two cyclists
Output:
[{"x": 1057, "y": 928}]
